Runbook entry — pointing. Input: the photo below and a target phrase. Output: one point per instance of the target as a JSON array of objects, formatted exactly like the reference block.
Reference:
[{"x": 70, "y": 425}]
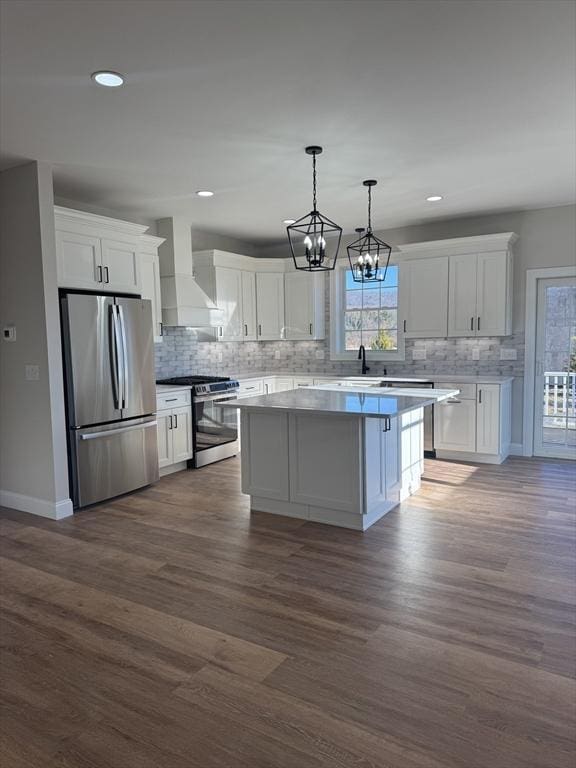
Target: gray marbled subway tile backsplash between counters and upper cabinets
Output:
[{"x": 181, "y": 352}]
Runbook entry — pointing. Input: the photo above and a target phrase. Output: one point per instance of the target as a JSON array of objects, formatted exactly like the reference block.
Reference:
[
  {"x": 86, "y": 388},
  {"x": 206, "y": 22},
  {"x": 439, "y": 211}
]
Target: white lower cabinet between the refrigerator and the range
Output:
[{"x": 175, "y": 442}]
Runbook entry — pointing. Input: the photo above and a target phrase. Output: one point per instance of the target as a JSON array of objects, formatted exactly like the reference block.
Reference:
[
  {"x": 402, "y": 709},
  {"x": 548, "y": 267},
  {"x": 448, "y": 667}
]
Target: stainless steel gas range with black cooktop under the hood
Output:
[{"x": 214, "y": 429}]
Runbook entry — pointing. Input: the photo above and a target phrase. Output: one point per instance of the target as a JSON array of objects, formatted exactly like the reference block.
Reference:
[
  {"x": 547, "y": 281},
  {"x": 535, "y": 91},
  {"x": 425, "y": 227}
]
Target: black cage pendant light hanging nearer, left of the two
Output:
[{"x": 314, "y": 239}]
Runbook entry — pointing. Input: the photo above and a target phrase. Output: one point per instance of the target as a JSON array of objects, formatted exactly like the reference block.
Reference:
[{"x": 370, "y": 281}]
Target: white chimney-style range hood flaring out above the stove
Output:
[{"x": 184, "y": 303}]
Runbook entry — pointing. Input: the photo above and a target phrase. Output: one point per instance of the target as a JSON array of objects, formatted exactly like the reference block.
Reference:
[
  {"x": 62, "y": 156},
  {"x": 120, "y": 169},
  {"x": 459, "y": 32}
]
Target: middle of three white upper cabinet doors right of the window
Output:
[{"x": 462, "y": 295}]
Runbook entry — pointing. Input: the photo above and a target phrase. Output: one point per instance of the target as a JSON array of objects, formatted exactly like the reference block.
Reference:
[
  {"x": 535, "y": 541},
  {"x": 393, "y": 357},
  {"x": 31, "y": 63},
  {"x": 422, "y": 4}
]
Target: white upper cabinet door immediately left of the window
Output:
[{"x": 304, "y": 306}]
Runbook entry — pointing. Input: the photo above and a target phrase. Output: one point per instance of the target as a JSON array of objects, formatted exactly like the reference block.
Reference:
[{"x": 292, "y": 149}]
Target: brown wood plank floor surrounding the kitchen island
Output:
[{"x": 172, "y": 629}]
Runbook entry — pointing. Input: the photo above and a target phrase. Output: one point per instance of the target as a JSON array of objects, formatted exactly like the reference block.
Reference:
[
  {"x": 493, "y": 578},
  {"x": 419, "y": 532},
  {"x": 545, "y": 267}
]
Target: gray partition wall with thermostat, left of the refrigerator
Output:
[{"x": 33, "y": 471}]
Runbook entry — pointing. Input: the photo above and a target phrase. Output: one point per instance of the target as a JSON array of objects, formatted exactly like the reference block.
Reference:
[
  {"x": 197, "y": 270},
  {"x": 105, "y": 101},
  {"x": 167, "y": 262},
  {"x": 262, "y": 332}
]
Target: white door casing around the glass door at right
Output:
[{"x": 532, "y": 277}]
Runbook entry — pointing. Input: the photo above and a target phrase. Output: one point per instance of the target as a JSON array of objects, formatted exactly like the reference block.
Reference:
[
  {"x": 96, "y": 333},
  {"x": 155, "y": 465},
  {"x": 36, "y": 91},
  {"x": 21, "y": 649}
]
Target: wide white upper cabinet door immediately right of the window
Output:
[{"x": 424, "y": 287}]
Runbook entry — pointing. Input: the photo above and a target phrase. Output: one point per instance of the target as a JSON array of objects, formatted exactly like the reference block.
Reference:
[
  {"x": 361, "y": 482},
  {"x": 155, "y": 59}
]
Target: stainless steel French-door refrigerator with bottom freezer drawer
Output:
[{"x": 110, "y": 395}]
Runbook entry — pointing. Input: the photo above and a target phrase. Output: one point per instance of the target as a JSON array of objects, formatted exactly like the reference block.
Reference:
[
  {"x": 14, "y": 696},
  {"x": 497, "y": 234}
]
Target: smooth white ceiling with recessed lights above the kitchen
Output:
[{"x": 472, "y": 100}]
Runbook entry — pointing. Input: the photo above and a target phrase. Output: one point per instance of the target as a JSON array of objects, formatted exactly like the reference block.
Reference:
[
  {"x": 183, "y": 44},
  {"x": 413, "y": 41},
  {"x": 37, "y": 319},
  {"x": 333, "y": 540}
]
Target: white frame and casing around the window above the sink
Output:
[{"x": 337, "y": 309}]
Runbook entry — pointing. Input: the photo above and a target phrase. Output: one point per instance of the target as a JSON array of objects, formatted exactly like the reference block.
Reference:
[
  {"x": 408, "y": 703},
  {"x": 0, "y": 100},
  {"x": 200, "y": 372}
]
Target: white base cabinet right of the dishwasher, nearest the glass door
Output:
[{"x": 476, "y": 424}]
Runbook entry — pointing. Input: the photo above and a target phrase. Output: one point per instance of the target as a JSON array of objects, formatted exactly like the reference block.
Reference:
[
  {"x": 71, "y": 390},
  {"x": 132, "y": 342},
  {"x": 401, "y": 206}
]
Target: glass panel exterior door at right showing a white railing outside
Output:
[{"x": 555, "y": 403}]
